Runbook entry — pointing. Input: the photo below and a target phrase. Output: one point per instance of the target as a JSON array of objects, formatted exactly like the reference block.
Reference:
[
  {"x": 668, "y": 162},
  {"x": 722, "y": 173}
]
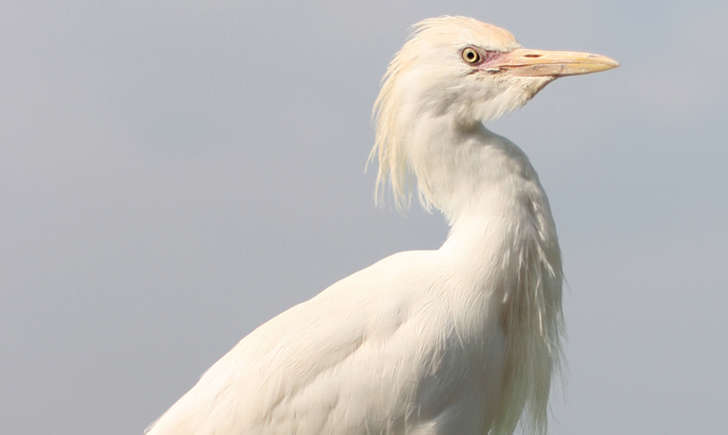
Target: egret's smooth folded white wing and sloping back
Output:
[{"x": 346, "y": 358}]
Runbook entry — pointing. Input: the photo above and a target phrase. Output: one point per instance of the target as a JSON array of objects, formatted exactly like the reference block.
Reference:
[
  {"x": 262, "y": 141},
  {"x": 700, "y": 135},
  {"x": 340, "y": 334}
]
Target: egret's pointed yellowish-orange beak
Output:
[{"x": 545, "y": 63}]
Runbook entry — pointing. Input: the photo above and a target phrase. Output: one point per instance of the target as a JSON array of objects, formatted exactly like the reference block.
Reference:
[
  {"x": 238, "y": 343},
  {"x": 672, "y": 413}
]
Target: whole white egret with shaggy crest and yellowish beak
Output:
[{"x": 464, "y": 339}]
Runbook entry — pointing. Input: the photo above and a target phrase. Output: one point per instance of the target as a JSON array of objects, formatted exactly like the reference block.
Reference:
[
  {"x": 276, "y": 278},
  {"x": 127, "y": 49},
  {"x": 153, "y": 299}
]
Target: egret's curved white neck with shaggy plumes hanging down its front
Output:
[{"x": 503, "y": 243}]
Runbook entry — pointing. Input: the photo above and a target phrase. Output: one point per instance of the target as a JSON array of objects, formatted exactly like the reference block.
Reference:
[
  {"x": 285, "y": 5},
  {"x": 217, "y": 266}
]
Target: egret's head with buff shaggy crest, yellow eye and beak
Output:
[{"x": 465, "y": 71}]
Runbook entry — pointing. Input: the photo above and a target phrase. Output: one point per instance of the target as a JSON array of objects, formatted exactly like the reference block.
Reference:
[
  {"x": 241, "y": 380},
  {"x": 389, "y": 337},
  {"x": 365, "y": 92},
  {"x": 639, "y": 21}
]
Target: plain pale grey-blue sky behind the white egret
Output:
[{"x": 174, "y": 173}]
